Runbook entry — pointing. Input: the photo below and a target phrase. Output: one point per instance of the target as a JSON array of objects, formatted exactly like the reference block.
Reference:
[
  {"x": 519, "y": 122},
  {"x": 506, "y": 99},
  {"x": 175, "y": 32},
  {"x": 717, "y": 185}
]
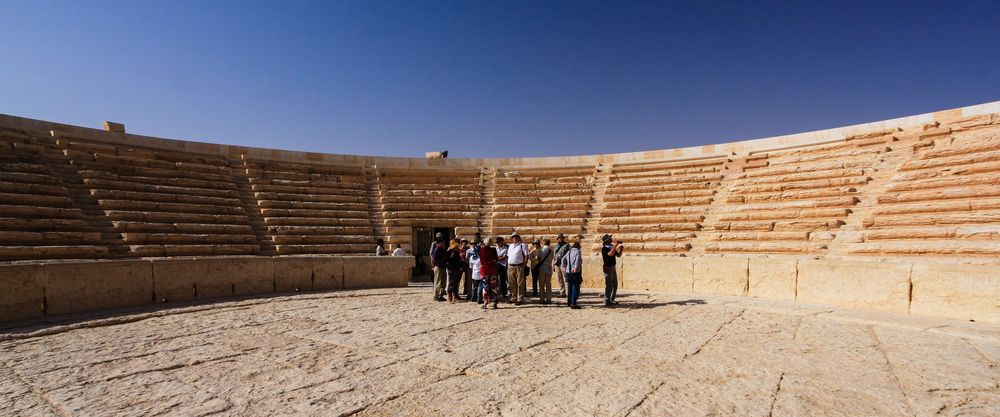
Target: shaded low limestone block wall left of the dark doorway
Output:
[{"x": 45, "y": 289}]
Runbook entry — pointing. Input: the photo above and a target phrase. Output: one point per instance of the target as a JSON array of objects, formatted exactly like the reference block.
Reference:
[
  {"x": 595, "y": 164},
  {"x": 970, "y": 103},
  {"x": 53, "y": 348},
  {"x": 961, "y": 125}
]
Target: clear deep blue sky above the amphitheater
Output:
[{"x": 491, "y": 79}]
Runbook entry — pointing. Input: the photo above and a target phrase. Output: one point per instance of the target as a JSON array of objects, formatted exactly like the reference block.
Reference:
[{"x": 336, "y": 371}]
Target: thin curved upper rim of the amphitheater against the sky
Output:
[{"x": 694, "y": 152}]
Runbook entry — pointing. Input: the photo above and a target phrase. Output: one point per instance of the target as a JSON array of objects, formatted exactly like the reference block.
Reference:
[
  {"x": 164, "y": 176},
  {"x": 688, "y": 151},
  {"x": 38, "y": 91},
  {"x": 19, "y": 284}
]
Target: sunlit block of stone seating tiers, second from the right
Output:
[{"x": 779, "y": 200}]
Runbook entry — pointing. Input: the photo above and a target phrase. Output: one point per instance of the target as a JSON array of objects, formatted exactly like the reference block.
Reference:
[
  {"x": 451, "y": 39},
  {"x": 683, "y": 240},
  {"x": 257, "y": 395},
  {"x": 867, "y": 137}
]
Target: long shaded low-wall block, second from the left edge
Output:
[{"x": 76, "y": 287}]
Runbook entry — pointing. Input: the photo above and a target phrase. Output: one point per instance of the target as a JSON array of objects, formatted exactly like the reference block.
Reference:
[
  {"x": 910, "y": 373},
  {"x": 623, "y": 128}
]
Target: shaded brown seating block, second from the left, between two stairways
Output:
[{"x": 165, "y": 203}]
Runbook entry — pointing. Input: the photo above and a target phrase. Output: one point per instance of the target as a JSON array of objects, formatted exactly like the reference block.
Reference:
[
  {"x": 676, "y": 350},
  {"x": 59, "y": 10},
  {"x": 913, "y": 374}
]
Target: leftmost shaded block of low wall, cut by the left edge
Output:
[{"x": 22, "y": 292}]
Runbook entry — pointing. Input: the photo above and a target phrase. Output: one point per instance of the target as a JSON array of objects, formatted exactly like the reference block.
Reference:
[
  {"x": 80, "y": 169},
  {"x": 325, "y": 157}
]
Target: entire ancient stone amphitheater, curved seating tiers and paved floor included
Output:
[{"x": 851, "y": 271}]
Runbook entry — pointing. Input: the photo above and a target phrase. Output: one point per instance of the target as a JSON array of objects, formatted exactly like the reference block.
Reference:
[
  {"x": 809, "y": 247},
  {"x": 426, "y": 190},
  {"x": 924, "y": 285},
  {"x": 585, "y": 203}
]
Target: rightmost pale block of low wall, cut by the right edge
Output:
[{"x": 964, "y": 292}]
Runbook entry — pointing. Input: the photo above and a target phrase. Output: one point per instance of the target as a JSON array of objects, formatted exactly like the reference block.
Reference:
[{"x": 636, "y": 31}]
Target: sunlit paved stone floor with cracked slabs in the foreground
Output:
[{"x": 396, "y": 352}]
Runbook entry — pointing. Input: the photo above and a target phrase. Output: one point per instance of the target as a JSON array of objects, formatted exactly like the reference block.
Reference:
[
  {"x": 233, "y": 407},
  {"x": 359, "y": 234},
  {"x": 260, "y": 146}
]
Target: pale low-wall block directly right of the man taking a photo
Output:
[{"x": 658, "y": 273}]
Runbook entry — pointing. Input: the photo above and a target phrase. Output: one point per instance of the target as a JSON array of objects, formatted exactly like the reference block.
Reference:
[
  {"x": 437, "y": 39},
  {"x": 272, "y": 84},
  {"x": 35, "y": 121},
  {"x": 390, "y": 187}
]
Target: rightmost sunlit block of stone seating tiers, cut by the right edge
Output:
[{"x": 942, "y": 202}]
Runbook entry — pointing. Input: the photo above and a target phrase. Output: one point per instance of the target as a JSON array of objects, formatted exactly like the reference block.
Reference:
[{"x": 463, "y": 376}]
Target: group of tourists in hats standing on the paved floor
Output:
[{"x": 488, "y": 272}]
